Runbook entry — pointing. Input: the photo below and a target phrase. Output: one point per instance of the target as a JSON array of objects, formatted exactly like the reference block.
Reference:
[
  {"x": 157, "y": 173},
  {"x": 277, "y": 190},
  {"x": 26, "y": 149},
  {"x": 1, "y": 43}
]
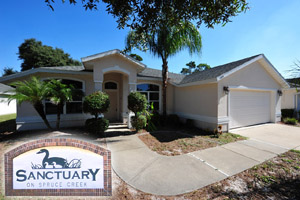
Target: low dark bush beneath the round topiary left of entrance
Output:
[{"x": 96, "y": 126}]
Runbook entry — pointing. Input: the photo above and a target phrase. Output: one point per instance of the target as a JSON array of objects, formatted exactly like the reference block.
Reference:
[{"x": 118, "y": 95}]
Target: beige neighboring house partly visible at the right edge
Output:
[{"x": 291, "y": 96}]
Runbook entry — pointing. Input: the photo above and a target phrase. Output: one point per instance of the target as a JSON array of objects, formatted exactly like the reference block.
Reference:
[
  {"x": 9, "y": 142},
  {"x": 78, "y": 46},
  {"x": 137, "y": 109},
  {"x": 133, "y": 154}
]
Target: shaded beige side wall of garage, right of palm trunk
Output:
[{"x": 198, "y": 103}]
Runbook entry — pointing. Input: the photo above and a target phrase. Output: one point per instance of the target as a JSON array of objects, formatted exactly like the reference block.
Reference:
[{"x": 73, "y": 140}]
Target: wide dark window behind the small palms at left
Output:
[{"x": 72, "y": 107}]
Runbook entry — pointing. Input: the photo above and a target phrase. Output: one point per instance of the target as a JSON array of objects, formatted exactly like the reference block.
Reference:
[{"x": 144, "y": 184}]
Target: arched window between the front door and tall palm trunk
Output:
[{"x": 151, "y": 92}]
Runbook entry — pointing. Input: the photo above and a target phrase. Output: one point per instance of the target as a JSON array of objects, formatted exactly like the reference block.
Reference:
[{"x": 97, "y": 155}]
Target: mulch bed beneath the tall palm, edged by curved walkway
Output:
[{"x": 173, "y": 143}]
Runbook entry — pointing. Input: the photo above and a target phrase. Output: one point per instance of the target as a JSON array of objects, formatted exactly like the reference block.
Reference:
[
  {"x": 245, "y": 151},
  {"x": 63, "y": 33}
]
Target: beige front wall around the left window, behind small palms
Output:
[{"x": 28, "y": 118}]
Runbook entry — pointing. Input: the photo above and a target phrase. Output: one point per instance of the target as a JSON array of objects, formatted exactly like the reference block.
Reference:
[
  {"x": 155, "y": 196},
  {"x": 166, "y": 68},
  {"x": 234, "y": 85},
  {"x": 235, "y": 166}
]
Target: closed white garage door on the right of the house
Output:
[{"x": 249, "y": 107}]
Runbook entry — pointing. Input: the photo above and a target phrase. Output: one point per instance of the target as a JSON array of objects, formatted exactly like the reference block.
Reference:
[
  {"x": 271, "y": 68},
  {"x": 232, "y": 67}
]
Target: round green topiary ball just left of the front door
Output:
[{"x": 96, "y": 103}]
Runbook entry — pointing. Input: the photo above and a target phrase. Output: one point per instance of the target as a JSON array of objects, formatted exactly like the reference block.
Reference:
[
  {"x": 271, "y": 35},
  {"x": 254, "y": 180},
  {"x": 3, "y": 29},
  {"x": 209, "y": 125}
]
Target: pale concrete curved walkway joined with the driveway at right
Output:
[{"x": 150, "y": 172}]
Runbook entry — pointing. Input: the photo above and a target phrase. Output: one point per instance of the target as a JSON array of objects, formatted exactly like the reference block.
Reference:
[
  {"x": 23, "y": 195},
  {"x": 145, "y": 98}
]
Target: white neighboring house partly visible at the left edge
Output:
[{"x": 6, "y": 108}]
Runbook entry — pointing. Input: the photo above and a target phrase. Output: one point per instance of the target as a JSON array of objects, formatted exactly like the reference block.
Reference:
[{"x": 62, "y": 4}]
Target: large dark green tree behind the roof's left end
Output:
[{"x": 34, "y": 54}]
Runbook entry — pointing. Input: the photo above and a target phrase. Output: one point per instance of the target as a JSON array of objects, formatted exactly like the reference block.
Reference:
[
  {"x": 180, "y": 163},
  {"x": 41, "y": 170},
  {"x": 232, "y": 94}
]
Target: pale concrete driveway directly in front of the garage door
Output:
[{"x": 275, "y": 134}]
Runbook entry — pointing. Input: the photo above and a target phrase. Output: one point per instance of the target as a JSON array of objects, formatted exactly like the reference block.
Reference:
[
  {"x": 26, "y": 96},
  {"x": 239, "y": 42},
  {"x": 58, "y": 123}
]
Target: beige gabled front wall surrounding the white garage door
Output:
[{"x": 253, "y": 77}]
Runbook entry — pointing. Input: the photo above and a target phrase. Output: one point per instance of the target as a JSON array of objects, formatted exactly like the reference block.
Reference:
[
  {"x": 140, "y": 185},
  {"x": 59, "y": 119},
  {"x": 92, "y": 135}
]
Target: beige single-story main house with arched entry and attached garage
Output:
[{"x": 237, "y": 94}]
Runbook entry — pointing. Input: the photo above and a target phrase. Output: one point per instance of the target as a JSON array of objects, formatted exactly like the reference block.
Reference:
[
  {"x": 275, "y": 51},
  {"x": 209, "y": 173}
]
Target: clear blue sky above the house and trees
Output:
[{"x": 271, "y": 27}]
